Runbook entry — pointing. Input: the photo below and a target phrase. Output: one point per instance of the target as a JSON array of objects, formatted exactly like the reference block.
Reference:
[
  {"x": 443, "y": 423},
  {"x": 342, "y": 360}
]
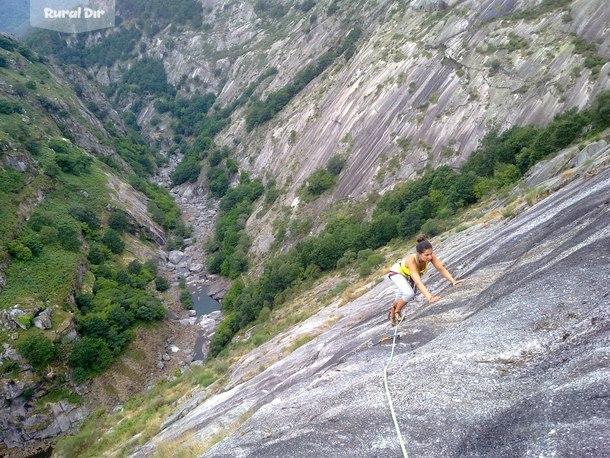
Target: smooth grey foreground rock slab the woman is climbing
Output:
[{"x": 514, "y": 362}]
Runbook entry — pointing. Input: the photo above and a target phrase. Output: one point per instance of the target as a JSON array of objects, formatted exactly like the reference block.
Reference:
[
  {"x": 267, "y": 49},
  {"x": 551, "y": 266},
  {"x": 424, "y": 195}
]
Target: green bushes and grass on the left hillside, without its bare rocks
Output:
[{"x": 76, "y": 232}]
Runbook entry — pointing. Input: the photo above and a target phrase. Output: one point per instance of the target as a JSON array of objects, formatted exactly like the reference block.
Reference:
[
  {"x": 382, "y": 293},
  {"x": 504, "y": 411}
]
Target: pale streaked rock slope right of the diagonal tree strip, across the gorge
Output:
[{"x": 426, "y": 97}]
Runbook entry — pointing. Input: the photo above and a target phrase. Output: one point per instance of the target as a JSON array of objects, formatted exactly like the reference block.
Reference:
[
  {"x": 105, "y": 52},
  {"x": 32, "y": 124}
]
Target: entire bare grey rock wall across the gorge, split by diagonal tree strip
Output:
[{"x": 427, "y": 80}]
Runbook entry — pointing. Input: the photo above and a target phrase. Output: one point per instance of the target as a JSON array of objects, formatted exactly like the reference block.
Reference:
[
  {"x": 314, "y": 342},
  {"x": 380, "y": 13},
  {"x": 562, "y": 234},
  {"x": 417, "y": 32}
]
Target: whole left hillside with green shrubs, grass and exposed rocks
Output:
[{"x": 78, "y": 259}]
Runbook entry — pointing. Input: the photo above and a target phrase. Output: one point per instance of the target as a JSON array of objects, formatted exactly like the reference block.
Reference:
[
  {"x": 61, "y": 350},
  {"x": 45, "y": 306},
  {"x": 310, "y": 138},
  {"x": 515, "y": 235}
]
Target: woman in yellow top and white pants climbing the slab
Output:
[{"x": 406, "y": 275}]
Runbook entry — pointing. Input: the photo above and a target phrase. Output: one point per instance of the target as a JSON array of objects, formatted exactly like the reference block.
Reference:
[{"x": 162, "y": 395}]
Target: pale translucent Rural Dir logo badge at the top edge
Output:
[{"x": 72, "y": 16}]
